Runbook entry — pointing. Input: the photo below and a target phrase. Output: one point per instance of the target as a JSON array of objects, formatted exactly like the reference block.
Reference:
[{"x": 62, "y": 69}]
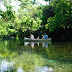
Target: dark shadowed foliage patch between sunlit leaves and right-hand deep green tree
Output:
[{"x": 47, "y": 12}]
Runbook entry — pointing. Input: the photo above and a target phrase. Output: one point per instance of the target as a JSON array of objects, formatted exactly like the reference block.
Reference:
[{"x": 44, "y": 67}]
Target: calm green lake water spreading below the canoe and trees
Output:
[{"x": 20, "y": 56}]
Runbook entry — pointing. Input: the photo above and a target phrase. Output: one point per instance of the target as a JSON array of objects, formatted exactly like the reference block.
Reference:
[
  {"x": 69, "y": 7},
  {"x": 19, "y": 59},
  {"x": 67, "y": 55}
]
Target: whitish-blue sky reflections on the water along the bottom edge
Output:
[{"x": 8, "y": 67}]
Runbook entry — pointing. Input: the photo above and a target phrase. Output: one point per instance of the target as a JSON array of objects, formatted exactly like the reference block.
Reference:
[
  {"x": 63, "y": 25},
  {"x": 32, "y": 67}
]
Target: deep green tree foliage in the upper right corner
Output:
[{"x": 61, "y": 17}]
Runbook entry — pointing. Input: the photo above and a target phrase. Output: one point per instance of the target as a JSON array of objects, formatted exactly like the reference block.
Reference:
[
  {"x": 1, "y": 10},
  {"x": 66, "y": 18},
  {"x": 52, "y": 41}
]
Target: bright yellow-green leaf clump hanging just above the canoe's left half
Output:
[{"x": 30, "y": 24}]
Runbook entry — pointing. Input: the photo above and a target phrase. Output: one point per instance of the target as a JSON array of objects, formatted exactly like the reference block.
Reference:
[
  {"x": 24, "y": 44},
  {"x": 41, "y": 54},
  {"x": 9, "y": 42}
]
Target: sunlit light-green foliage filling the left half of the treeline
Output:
[{"x": 18, "y": 23}]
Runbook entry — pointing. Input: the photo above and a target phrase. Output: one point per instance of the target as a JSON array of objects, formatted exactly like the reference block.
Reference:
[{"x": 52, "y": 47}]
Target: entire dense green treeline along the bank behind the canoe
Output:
[{"x": 55, "y": 19}]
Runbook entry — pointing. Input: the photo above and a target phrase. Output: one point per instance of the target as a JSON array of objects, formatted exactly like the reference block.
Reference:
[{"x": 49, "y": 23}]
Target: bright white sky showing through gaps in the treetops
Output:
[{"x": 16, "y": 3}]
